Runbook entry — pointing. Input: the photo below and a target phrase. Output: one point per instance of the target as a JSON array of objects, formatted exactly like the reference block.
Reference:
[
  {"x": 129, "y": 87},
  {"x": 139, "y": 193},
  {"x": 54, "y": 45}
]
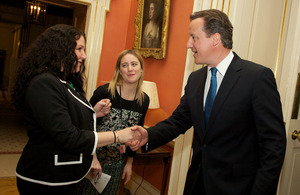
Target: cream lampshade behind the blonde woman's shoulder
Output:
[{"x": 151, "y": 90}]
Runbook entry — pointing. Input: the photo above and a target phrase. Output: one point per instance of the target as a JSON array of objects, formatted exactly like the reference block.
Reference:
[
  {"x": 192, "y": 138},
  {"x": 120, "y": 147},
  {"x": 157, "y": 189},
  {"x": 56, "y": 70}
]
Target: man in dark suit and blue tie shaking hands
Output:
[{"x": 240, "y": 148}]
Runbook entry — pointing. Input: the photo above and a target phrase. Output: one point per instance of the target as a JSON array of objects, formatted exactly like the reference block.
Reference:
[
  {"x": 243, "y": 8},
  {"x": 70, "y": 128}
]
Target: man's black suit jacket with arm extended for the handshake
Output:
[{"x": 242, "y": 149}]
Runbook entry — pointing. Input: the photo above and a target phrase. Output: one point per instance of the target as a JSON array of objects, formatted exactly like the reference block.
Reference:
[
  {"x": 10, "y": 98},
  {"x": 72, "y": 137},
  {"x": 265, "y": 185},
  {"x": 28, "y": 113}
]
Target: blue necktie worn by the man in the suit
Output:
[{"x": 211, "y": 94}]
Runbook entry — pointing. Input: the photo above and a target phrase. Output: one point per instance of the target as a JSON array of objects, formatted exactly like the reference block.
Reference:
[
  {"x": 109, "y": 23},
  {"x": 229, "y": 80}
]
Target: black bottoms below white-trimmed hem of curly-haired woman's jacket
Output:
[{"x": 26, "y": 188}]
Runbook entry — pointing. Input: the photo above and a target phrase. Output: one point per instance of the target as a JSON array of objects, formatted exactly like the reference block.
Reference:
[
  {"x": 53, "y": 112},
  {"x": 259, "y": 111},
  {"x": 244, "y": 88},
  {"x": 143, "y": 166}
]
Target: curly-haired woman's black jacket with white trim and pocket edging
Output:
[{"x": 60, "y": 126}]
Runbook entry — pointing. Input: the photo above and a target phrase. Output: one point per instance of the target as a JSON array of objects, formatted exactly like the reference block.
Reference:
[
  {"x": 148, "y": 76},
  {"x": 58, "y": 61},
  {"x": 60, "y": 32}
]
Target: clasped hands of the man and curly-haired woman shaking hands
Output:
[{"x": 134, "y": 137}]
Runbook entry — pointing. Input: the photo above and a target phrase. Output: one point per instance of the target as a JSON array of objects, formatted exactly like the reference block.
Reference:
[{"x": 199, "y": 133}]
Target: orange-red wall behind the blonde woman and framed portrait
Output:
[{"x": 168, "y": 73}]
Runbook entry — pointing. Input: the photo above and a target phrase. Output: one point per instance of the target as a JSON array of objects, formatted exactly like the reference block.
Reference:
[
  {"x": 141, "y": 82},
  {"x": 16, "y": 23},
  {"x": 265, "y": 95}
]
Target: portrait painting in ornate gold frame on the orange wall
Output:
[{"x": 151, "y": 23}]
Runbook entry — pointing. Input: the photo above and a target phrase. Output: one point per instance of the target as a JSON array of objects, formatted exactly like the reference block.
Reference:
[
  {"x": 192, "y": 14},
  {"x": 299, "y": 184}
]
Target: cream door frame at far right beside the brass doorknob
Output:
[{"x": 287, "y": 87}]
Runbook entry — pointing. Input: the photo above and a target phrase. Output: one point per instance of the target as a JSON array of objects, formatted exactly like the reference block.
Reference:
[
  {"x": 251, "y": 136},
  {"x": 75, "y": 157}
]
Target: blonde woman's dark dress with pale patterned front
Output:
[{"x": 123, "y": 114}]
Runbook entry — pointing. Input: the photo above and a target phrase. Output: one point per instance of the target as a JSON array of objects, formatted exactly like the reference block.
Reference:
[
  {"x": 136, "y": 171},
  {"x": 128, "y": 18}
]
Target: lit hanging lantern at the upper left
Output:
[{"x": 35, "y": 12}]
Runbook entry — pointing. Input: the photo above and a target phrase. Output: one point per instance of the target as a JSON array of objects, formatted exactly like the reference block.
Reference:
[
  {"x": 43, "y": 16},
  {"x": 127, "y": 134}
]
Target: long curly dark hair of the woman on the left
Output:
[{"x": 53, "y": 51}]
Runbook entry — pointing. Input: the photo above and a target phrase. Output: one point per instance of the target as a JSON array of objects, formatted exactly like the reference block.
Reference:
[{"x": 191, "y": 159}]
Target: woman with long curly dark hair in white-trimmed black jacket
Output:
[{"x": 60, "y": 122}]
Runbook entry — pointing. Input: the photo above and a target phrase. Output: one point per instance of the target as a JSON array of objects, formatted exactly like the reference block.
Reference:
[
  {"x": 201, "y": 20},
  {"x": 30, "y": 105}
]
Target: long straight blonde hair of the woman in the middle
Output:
[{"x": 117, "y": 79}]
